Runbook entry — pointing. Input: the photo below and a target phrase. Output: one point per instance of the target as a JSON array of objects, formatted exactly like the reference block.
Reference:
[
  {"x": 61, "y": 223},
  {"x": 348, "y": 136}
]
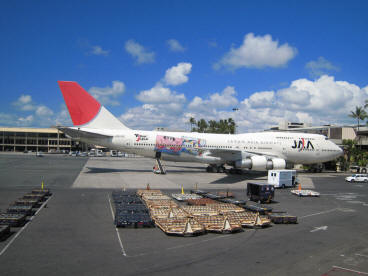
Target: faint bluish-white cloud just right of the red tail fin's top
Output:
[{"x": 107, "y": 95}]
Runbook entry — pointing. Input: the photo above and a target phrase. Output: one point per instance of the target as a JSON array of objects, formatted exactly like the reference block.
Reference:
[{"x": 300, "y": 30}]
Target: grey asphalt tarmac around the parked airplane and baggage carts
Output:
[{"x": 75, "y": 235}]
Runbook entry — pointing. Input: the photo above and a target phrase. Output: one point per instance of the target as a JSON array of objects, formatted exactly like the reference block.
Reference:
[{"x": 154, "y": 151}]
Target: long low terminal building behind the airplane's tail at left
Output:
[{"x": 35, "y": 139}]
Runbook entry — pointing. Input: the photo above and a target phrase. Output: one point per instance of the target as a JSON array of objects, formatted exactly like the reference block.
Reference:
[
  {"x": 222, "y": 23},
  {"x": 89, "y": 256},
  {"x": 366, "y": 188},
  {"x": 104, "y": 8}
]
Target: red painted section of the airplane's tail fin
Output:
[{"x": 81, "y": 105}]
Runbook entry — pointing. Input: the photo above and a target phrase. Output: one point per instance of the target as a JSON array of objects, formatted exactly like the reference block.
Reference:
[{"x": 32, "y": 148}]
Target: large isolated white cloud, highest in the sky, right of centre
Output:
[{"x": 257, "y": 52}]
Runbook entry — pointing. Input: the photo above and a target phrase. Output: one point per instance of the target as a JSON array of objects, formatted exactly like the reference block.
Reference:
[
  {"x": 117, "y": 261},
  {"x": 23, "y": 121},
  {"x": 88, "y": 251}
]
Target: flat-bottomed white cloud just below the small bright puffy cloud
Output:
[{"x": 160, "y": 94}]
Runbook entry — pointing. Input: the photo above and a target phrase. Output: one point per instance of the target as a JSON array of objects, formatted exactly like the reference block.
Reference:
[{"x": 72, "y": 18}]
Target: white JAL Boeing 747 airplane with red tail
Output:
[{"x": 94, "y": 124}]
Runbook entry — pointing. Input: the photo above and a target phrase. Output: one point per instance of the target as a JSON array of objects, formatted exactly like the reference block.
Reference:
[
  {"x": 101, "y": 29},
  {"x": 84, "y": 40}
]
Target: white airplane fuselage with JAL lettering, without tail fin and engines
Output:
[{"x": 300, "y": 148}]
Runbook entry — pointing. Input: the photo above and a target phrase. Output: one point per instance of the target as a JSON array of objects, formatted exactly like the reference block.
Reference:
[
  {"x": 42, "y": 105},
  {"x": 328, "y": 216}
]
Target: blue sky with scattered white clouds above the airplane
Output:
[{"x": 157, "y": 63}]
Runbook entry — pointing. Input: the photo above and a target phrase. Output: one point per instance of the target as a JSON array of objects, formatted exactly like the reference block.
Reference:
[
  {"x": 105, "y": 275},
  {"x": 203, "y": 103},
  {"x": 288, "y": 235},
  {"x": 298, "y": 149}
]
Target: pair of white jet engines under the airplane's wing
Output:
[{"x": 260, "y": 163}]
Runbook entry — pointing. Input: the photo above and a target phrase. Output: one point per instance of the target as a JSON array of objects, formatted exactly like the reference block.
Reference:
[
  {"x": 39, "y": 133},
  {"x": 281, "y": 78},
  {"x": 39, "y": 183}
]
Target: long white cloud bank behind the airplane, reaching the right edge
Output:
[{"x": 321, "y": 101}]
